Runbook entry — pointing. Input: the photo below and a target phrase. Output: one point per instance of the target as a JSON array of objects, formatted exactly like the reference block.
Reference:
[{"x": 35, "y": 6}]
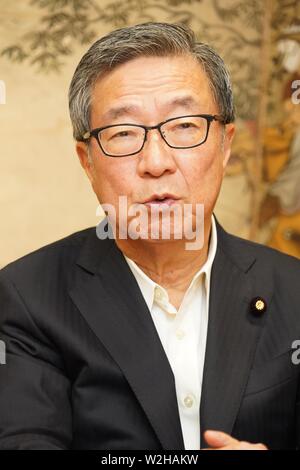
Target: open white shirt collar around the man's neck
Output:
[{"x": 147, "y": 285}]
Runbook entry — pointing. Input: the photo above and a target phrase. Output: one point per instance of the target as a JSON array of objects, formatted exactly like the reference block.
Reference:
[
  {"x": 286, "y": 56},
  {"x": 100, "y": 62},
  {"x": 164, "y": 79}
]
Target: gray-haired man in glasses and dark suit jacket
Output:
[{"x": 136, "y": 342}]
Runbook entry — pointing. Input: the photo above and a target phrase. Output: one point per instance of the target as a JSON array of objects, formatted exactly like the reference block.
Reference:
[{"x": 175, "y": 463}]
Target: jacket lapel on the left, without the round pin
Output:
[{"x": 111, "y": 302}]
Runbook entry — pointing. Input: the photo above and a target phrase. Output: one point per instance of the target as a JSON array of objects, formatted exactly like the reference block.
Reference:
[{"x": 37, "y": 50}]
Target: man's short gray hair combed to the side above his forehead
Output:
[{"x": 147, "y": 39}]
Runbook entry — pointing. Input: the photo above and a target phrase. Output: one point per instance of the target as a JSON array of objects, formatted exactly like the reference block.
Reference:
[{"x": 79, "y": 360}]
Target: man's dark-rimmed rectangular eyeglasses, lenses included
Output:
[{"x": 183, "y": 132}]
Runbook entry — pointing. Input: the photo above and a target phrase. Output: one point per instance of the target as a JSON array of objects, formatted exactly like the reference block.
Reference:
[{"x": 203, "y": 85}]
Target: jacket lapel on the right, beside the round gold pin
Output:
[{"x": 233, "y": 333}]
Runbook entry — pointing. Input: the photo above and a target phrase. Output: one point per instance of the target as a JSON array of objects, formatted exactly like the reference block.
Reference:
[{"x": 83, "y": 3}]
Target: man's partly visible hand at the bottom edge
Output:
[{"x": 217, "y": 440}]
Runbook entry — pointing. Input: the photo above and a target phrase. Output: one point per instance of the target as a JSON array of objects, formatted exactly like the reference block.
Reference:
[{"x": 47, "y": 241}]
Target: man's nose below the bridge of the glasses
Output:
[{"x": 156, "y": 158}]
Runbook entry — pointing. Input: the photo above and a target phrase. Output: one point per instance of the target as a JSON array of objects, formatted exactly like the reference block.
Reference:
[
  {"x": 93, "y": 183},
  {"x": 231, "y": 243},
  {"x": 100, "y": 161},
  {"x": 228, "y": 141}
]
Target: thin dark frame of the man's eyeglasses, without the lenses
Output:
[{"x": 95, "y": 132}]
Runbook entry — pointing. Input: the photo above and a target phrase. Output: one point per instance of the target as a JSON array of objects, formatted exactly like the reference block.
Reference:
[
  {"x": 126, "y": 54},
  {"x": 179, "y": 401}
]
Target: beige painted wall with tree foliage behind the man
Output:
[{"x": 44, "y": 194}]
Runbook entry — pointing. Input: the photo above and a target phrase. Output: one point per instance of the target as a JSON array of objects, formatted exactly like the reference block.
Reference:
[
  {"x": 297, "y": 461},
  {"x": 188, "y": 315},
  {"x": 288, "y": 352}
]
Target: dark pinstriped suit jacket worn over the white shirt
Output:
[{"x": 85, "y": 368}]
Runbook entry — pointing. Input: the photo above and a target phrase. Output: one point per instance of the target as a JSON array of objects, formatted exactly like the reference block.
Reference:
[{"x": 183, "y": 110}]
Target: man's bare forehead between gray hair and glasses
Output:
[{"x": 148, "y": 85}]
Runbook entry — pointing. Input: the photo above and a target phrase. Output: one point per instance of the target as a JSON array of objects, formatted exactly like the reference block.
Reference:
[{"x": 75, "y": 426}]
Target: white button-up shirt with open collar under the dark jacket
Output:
[{"x": 183, "y": 335}]
